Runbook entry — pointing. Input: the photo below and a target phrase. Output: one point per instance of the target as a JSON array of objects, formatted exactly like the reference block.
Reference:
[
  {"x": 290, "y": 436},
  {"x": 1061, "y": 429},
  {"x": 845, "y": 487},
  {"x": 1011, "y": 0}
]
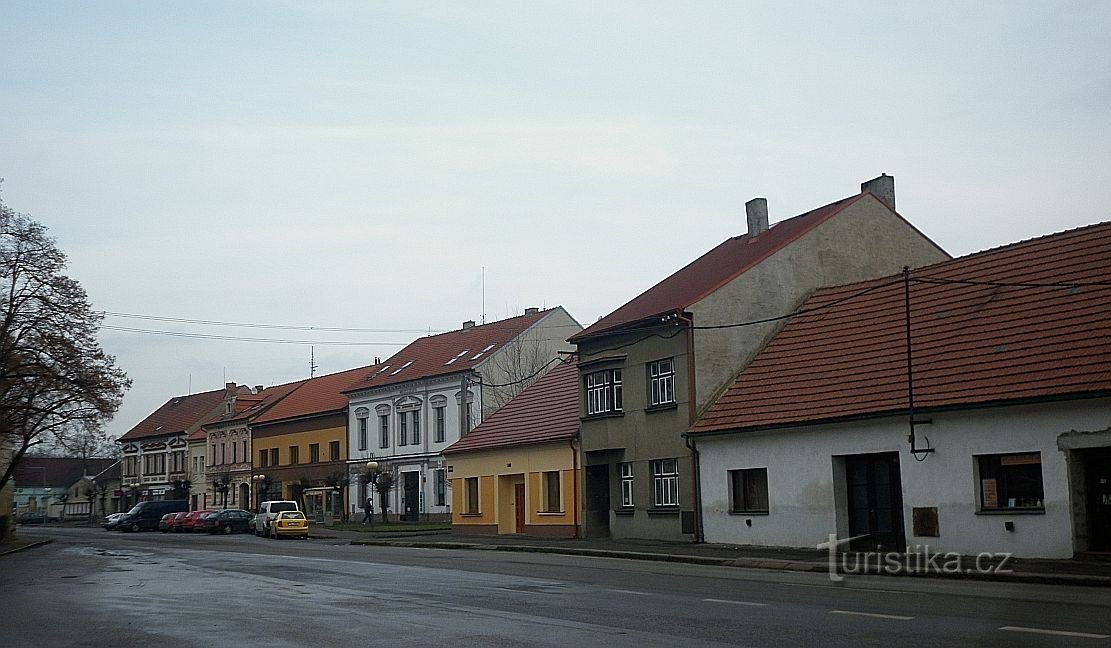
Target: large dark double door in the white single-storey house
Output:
[{"x": 875, "y": 503}]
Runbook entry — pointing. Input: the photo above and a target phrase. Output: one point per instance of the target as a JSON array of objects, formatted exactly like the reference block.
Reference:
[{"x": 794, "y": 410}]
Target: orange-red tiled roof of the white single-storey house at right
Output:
[{"x": 974, "y": 344}]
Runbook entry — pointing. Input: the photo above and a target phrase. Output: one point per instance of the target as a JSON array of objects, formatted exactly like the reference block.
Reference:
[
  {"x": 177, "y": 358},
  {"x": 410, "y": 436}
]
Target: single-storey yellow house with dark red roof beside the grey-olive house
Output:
[{"x": 518, "y": 473}]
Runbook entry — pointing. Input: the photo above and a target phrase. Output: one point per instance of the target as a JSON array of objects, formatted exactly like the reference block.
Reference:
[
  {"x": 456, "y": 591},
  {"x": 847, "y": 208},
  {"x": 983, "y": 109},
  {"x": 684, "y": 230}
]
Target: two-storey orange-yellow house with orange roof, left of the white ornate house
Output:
[{"x": 302, "y": 447}]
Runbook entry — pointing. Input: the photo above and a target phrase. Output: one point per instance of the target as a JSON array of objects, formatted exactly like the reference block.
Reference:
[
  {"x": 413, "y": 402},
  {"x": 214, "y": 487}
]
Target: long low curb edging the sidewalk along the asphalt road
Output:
[{"x": 1024, "y": 577}]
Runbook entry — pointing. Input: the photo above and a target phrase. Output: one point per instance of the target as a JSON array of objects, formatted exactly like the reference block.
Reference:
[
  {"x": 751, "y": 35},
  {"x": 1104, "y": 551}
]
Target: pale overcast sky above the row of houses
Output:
[{"x": 405, "y": 167}]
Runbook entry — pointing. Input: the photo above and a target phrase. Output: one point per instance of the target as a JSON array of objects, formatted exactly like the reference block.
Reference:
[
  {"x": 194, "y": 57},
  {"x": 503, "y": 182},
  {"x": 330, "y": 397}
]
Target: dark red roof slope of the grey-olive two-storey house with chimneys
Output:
[{"x": 713, "y": 271}]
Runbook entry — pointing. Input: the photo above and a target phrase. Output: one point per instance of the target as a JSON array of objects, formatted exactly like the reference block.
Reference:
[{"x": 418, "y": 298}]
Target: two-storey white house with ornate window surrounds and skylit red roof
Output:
[{"x": 405, "y": 413}]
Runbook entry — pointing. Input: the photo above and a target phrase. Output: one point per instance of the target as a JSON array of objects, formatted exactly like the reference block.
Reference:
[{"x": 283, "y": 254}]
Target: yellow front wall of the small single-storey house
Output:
[{"x": 502, "y": 470}]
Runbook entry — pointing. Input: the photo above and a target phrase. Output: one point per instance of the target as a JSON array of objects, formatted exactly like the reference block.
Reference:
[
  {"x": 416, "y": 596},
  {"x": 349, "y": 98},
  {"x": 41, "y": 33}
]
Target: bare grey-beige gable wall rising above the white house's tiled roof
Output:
[{"x": 864, "y": 242}]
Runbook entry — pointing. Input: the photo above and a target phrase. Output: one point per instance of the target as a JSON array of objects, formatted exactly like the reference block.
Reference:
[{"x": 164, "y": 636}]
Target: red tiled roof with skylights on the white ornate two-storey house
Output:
[{"x": 448, "y": 353}]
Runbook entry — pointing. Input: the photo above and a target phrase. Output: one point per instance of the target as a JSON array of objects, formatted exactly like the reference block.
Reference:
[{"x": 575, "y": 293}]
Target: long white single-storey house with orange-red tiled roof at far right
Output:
[{"x": 965, "y": 406}]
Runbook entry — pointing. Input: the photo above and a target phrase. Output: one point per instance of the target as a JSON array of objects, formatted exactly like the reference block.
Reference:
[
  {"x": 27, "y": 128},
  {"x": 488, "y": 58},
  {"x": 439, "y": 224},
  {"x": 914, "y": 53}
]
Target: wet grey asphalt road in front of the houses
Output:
[{"x": 97, "y": 589}]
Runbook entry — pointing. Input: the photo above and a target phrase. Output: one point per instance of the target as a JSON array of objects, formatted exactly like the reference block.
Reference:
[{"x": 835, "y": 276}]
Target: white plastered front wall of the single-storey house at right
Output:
[{"x": 805, "y": 506}]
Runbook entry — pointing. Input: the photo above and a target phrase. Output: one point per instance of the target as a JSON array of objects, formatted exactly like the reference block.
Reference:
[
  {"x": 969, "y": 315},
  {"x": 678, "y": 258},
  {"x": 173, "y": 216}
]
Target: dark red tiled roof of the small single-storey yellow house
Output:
[{"x": 547, "y": 412}]
